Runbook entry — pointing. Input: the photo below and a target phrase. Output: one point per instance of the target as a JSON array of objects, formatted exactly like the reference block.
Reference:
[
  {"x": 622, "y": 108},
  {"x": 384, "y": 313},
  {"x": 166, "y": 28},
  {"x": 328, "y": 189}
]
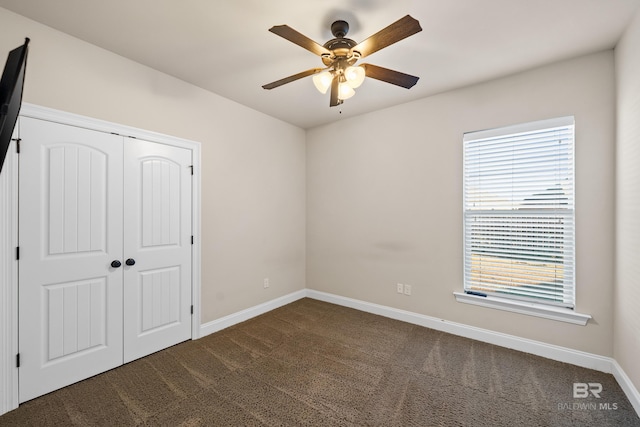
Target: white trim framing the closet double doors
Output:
[{"x": 9, "y": 223}]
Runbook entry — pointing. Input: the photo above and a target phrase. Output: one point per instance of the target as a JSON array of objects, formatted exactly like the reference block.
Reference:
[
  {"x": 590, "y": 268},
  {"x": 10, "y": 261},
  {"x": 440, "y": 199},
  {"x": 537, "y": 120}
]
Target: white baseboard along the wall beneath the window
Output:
[{"x": 549, "y": 351}]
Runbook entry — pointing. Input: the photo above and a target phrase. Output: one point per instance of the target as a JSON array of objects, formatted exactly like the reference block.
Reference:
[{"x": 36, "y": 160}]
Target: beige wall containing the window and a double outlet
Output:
[{"x": 384, "y": 200}]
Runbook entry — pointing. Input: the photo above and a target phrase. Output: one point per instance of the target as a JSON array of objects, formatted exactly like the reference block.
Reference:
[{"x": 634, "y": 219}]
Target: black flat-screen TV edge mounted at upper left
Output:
[{"x": 11, "y": 87}]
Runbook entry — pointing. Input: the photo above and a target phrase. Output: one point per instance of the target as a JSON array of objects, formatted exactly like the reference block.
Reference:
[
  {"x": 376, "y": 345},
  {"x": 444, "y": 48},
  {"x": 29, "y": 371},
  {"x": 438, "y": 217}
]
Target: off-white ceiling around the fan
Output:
[{"x": 224, "y": 46}]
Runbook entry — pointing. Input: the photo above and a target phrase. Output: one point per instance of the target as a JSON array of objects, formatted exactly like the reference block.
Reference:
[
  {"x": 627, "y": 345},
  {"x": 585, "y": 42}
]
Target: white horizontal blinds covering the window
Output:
[{"x": 519, "y": 212}]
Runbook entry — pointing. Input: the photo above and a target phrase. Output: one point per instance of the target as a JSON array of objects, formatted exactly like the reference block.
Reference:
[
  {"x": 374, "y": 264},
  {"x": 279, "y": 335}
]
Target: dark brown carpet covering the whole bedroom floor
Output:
[{"x": 313, "y": 363}]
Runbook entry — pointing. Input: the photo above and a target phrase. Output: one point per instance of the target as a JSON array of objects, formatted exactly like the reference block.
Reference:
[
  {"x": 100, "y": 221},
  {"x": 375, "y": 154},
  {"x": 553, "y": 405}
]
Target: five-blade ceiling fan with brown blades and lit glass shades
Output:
[{"x": 340, "y": 54}]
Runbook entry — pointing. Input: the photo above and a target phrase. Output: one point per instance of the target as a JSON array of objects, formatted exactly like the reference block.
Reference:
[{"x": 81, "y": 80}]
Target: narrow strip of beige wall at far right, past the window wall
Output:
[{"x": 627, "y": 295}]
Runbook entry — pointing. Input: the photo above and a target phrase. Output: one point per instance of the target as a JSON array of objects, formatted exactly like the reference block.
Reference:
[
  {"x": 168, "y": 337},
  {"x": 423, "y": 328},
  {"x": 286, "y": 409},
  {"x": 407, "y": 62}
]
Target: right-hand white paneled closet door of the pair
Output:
[{"x": 157, "y": 244}]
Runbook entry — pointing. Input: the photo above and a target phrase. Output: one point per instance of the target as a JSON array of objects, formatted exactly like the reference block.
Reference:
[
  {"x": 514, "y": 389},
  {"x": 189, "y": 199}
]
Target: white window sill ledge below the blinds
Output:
[{"x": 531, "y": 309}]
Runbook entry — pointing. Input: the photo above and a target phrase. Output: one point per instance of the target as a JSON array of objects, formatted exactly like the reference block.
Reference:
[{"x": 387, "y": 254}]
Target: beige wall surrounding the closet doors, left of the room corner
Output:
[{"x": 253, "y": 166}]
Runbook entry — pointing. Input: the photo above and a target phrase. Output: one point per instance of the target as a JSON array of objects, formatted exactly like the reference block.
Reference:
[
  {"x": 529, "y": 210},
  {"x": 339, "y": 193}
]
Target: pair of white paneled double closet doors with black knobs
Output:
[{"x": 105, "y": 252}]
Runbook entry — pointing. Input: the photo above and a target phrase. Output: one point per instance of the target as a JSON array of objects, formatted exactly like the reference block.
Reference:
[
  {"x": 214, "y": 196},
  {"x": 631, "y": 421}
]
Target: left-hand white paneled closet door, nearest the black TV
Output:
[{"x": 70, "y": 308}]
